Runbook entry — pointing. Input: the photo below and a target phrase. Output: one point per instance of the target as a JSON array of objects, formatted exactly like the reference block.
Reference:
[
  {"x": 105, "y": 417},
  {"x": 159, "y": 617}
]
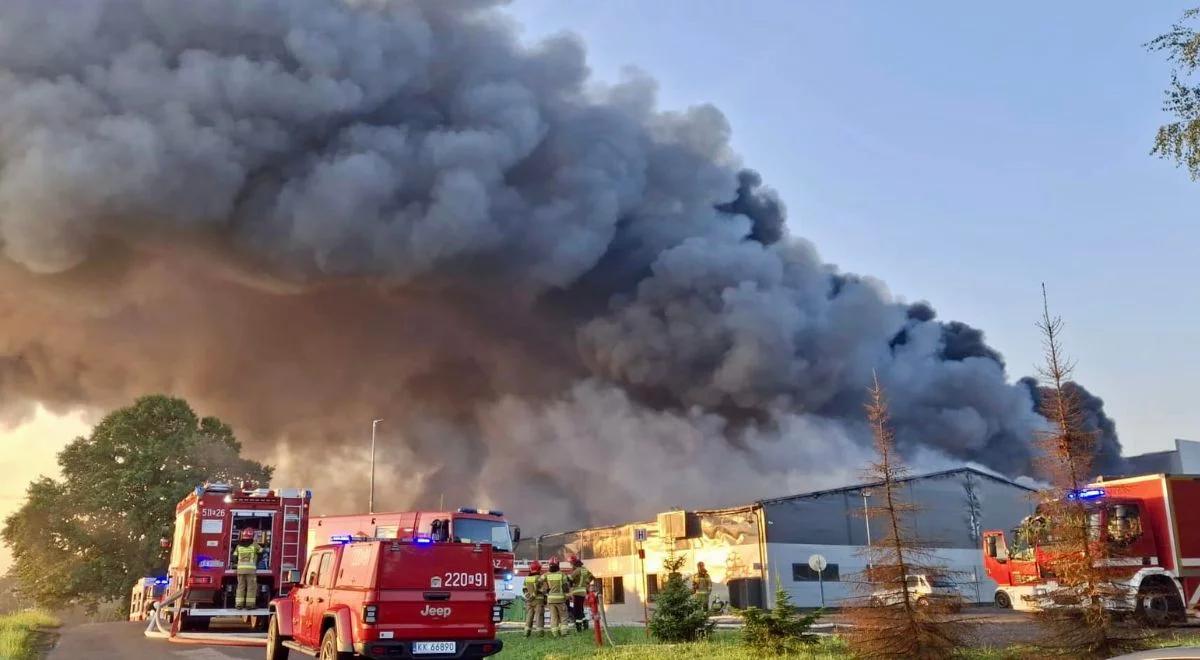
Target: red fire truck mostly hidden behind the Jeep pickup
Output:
[{"x": 467, "y": 526}]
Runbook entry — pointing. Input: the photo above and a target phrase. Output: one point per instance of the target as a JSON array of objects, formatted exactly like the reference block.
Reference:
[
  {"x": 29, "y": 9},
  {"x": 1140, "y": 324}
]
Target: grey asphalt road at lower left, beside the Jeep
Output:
[{"x": 125, "y": 641}]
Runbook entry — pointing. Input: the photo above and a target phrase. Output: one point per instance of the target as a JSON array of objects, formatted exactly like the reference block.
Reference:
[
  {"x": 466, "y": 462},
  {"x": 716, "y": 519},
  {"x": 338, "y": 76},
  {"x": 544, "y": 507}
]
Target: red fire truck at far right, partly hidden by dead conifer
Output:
[{"x": 1151, "y": 524}]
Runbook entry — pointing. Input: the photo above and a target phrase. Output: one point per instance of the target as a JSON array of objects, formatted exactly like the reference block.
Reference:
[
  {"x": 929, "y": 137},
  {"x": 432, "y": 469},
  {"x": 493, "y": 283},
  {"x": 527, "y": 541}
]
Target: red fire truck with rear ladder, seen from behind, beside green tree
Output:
[{"x": 208, "y": 525}]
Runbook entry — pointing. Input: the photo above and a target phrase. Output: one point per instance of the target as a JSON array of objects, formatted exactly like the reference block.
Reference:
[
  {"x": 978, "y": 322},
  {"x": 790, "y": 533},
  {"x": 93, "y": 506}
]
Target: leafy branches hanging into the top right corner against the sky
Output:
[{"x": 1180, "y": 140}]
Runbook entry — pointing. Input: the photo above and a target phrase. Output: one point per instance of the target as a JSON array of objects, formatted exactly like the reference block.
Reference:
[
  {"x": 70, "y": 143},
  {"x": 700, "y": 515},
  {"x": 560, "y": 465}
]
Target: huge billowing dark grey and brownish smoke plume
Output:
[{"x": 307, "y": 214}]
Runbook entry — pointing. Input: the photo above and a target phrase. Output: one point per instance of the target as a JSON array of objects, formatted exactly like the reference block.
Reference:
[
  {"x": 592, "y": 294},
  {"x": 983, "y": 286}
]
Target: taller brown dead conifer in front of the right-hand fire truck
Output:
[{"x": 1081, "y": 611}]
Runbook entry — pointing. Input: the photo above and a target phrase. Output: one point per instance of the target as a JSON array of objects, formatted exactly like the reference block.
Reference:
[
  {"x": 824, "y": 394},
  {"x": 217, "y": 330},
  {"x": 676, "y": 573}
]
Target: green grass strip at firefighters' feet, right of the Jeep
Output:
[{"x": 633, "y": 644}]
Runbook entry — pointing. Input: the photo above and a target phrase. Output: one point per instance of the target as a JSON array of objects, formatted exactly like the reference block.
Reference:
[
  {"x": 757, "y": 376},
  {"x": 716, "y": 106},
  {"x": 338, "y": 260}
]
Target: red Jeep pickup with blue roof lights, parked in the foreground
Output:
[{"x": 380, "y": 598}]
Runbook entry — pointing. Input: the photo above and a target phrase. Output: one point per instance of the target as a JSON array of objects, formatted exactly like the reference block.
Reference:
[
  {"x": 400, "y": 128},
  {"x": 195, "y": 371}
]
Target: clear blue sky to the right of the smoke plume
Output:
[{"x": 964, "y": 154}]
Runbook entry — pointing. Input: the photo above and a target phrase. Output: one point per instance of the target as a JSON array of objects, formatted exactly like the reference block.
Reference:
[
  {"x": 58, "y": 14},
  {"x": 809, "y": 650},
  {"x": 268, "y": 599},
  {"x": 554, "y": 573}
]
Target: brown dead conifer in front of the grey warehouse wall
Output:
[{"x": 895, "y": 615}]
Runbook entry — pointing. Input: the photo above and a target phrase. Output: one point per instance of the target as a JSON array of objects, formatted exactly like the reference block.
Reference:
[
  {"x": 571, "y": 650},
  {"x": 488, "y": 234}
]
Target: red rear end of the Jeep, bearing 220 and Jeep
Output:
[{"x": 435, "y": 592}]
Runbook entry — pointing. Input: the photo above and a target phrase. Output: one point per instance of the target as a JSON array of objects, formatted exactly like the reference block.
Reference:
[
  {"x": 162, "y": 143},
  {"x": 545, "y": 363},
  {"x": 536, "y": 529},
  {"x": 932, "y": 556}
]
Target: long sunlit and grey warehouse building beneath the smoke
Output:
[{"x": 747, "y": 548}]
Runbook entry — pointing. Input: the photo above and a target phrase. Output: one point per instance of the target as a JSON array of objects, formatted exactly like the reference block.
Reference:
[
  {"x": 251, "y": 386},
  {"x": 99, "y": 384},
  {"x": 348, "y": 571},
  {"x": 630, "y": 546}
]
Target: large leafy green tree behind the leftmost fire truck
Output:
[{"x": 85, "y": 538}]
